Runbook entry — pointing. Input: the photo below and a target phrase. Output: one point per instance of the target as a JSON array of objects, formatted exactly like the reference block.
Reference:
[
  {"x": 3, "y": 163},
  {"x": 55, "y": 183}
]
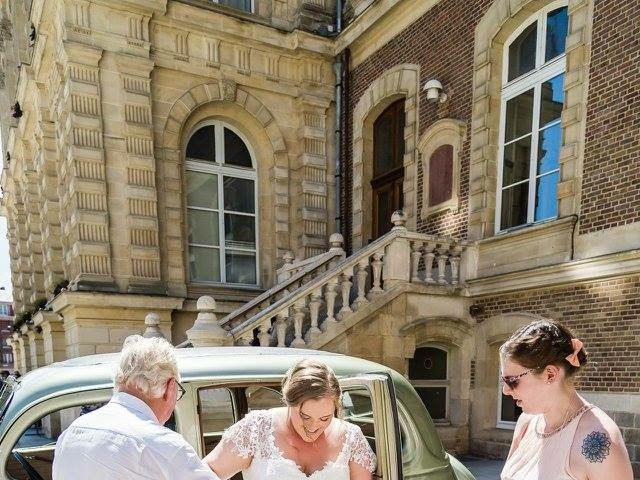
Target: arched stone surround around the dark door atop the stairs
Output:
[{"x": 397, "y": 82}]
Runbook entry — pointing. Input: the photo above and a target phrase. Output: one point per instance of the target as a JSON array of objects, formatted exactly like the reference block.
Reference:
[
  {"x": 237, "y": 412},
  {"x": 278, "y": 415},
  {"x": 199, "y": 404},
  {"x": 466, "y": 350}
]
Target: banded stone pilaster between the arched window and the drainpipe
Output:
[{"x": 315, "y": 176}]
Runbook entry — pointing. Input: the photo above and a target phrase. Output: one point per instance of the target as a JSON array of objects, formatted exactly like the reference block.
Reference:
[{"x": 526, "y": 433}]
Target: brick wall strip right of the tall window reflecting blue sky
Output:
[{"x": 611, "y": 181}]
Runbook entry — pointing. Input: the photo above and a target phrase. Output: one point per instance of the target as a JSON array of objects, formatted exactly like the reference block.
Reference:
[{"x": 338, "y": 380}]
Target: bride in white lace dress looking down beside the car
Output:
[{"x": 302, "y": 440}]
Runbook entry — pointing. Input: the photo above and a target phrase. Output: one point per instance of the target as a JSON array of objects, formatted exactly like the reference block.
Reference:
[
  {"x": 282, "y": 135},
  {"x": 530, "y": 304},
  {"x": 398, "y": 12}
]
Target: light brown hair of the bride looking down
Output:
[{"x": 310, "y": 380}]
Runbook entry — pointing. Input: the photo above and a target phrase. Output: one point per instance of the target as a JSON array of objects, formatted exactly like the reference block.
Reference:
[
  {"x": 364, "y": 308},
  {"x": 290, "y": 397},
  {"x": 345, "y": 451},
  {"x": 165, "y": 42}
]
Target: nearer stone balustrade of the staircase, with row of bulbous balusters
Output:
[{"x": 396, "y": 257}]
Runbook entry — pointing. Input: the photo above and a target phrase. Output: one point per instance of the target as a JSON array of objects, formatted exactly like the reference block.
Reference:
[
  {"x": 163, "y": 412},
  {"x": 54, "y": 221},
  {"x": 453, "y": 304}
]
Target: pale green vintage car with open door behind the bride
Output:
[{"x": 222, "y": 385}]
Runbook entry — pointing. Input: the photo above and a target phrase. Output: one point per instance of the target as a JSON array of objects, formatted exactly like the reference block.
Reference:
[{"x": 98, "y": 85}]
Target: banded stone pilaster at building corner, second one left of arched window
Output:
[{"x": 82, "y": 176}]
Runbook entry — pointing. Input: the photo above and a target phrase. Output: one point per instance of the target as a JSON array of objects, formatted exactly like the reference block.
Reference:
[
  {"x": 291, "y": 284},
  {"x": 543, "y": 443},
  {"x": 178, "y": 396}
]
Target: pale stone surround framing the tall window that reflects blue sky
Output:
[{"x": 500, "y": 20}]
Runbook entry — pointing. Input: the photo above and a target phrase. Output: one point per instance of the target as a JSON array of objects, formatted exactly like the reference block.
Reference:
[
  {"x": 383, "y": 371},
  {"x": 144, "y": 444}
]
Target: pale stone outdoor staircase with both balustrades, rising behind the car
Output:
[{"x": 319, "y": 298}]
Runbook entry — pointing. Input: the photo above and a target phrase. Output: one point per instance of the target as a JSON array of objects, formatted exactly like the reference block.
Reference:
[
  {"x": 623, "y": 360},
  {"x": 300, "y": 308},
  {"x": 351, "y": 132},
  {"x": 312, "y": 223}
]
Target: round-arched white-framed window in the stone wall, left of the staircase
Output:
[{"x": 221, "y": 206}]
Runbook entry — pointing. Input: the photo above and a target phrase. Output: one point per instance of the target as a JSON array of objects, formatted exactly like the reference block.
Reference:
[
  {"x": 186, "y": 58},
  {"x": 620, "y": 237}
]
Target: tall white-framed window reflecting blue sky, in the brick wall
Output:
[{"x": 532, "y": 99}]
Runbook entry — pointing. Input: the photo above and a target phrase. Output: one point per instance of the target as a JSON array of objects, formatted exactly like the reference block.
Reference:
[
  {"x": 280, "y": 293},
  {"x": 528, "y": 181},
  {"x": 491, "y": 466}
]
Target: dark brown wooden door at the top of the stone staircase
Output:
[{"x": 388, "y": 168}]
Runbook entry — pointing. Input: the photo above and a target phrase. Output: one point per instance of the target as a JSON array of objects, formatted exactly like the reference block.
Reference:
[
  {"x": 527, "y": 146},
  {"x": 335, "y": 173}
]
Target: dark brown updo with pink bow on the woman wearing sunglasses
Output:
[{"x": 543, "y": 343}]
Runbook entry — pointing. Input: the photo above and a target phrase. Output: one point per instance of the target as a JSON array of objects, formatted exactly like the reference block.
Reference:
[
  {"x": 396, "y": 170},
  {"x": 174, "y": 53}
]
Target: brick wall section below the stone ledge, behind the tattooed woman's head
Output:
[{"x": 604, "y": 314}]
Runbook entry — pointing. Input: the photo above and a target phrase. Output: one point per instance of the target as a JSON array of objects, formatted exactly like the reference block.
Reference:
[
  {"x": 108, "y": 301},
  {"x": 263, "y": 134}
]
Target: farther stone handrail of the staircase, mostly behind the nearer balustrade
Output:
[{"x": 288, "y": 280}]
